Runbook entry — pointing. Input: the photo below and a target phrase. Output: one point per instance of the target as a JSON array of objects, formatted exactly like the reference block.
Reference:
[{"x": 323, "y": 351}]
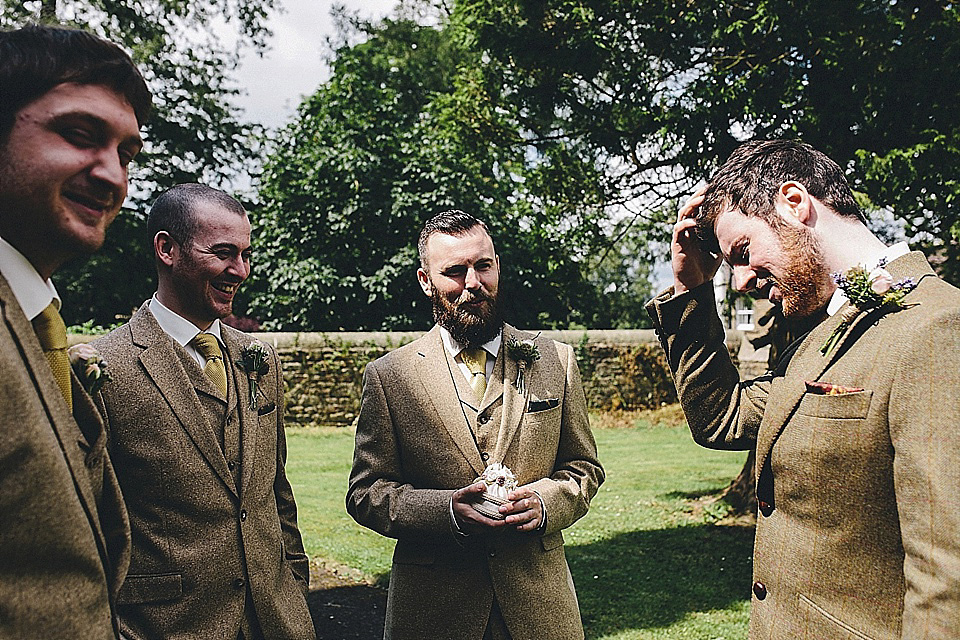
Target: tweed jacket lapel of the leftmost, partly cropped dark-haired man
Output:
[{"x": 58, "y": 413}]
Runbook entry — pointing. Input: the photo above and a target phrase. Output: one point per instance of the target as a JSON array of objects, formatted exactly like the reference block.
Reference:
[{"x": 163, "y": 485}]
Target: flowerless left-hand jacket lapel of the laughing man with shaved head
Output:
[{"x": 165, "y": 368}]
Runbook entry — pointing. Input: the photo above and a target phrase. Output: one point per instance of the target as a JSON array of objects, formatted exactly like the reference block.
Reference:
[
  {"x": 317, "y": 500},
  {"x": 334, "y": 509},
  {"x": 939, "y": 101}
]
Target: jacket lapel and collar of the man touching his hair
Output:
[{"x": 809, "y": 364}]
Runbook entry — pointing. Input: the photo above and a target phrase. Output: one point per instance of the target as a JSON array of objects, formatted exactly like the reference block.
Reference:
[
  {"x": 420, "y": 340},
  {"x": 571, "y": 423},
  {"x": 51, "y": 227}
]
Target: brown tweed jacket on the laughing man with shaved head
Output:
[{"x": 212, "y": 530}]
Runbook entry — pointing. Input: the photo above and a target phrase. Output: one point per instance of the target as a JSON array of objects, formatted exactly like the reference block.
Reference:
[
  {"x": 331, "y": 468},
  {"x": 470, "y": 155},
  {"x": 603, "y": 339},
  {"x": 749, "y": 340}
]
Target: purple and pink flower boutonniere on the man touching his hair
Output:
[{"x": 867, "y": 291}]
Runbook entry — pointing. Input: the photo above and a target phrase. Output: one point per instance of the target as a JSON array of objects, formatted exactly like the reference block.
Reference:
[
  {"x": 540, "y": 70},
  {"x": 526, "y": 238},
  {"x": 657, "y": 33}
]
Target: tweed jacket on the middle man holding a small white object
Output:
[{"x": 417, "y": 443}]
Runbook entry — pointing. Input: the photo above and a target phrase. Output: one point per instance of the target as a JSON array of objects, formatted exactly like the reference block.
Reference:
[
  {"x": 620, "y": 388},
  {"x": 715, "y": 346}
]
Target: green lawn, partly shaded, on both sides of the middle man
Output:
[{"x": 646, "y": 564}]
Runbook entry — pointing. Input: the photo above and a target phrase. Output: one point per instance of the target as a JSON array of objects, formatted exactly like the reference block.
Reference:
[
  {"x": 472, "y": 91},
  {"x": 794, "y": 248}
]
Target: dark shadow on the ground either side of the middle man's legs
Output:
[{"x": 636, "y": 580}]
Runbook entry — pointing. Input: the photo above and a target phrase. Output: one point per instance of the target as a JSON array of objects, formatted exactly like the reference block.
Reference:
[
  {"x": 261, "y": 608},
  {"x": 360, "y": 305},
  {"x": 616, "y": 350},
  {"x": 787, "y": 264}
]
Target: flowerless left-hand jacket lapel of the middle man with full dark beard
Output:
[{"x": 436, "y": 374}]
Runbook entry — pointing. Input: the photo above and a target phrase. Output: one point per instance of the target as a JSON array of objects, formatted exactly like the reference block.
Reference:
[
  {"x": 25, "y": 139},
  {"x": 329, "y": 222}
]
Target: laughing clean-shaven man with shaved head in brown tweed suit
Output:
[{"x": 216, "y": 548}]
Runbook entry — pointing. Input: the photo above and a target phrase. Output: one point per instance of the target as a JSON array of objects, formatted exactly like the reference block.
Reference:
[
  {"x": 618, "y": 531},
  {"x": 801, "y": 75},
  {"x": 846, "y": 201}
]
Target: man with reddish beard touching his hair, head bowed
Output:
[{"x": 857, "y": 428}]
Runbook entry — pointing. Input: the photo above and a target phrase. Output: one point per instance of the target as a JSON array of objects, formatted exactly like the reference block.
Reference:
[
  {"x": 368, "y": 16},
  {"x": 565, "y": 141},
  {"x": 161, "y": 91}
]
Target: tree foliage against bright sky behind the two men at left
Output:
[{"x": 195, "y": 134}]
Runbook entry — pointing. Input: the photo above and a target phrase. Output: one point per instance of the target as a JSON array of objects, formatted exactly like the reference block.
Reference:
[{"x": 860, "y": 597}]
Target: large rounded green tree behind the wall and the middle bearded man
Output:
[{"x": 402, "y": 131}]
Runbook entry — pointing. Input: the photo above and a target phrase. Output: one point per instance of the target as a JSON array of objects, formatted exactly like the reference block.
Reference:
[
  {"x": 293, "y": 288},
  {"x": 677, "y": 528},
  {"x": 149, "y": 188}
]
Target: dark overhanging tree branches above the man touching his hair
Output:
[{"x": 662, "y": 91}]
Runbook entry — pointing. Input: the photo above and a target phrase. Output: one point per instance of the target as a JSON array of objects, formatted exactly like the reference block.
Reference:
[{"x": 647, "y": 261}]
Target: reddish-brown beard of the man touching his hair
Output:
[{"x": 806, "y": 285}]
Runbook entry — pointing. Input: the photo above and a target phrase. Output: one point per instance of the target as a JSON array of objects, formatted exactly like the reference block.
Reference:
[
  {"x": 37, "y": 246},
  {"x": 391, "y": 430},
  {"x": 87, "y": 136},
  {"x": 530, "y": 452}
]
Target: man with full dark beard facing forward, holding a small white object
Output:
[{"x": 472, "y": 393}]
